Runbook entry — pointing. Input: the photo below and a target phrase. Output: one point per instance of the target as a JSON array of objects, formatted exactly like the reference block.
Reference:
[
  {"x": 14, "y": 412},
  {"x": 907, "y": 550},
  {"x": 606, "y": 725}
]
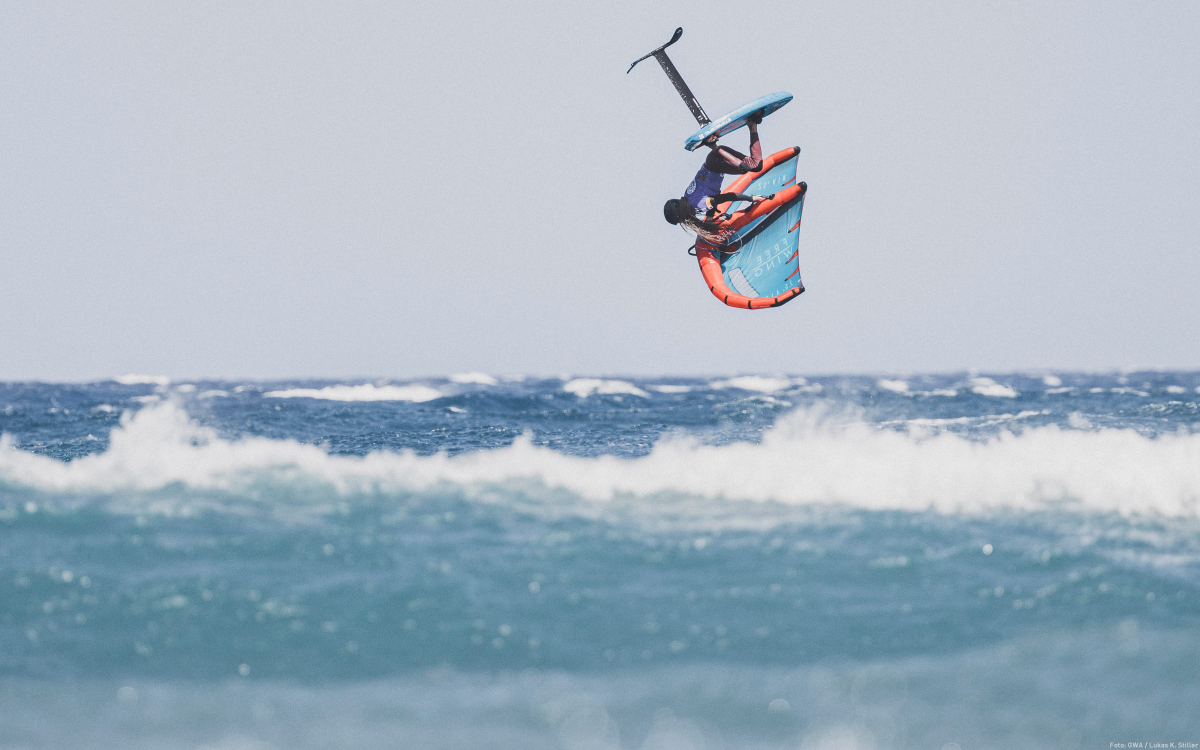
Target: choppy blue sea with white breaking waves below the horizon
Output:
[{"x": 950, "y": 561}]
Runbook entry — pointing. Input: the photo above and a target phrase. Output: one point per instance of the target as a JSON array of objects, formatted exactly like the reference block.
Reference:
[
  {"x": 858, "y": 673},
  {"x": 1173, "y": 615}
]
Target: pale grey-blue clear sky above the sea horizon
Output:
[{"x": 397, "y": 190}]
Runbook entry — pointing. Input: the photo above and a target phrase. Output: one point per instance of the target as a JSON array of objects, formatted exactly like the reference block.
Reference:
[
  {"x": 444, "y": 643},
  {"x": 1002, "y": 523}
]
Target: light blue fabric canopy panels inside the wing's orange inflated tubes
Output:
[{"x": 765, "y": 266}]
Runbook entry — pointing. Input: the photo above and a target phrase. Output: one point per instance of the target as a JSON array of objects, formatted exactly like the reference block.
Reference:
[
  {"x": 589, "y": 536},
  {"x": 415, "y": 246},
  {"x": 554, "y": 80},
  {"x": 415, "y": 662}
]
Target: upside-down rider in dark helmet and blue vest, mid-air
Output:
[{"x": 697, "y": 212}]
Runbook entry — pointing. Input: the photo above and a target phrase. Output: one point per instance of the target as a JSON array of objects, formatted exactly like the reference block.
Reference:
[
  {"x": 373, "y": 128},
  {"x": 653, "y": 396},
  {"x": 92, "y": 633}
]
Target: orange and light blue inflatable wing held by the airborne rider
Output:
[{"x": 758, "y": 266}]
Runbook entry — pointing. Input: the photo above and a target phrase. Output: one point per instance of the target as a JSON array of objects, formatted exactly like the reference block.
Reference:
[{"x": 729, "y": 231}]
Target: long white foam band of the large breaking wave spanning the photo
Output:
[{"x": 807, "y": 459}]
